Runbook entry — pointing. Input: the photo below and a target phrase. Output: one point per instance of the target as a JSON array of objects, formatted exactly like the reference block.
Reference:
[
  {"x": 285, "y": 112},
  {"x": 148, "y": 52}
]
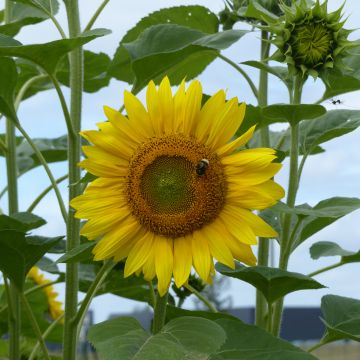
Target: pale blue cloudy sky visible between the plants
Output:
[{"x": 334, "y": 173}]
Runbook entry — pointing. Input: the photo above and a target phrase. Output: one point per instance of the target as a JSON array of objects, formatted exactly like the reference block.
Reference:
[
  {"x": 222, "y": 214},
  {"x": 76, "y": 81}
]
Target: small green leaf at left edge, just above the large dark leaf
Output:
[{"x": 22, "y": 222}]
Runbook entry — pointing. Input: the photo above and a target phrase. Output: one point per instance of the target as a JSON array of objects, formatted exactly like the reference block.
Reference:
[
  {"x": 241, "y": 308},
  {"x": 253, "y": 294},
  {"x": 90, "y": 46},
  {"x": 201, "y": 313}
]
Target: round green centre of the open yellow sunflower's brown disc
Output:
[{"x": 166, "y": 184}]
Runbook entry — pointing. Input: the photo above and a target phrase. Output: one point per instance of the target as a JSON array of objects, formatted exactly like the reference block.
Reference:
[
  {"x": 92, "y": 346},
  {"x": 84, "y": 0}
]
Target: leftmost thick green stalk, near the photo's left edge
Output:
[{"x": 11, "y": 168}]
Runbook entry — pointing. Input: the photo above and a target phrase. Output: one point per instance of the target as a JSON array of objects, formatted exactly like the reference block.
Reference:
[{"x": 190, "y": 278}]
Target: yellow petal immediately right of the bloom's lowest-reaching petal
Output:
[{"x": 182, "y": 259}]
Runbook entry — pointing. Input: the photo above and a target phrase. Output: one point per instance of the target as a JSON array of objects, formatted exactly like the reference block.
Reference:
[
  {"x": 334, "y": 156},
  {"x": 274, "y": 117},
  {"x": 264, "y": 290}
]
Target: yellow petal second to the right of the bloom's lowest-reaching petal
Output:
[{"x": 201, "y": 254}]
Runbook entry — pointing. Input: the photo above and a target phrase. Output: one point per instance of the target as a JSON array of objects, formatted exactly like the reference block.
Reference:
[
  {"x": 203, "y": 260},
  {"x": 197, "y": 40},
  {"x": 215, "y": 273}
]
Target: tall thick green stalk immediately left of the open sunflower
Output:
[{"x": 73, "y": 228}]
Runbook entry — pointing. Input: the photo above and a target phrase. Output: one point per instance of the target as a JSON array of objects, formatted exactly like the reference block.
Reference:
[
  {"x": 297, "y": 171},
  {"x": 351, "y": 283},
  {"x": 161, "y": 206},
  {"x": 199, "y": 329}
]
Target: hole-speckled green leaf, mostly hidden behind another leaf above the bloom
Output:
[{"x": 201, "y": 19}]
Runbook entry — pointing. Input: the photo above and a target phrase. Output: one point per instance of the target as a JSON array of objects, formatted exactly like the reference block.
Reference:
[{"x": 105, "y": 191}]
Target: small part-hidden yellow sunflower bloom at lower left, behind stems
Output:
[{"x": 55, "y": 306}]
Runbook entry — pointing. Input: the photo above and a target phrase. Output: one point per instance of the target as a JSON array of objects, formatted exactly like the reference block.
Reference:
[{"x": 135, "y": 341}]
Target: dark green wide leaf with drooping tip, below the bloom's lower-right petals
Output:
[{"x": 272, "y": 282}]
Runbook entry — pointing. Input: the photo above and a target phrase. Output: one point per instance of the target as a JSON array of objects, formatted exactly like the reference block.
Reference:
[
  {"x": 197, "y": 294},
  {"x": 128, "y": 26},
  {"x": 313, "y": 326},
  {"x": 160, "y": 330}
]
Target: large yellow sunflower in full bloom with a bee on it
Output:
[{"x": 173, "y": 192}]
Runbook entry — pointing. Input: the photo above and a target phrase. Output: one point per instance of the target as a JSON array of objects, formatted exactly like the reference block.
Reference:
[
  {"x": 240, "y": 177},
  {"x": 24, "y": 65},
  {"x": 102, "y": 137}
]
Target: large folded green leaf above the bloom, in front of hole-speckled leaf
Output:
[{"x": 171, "y": 45}]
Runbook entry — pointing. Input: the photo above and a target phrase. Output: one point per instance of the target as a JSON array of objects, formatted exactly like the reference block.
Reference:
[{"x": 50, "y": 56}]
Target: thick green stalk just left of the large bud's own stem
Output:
[{"x": 263, "y": 249}]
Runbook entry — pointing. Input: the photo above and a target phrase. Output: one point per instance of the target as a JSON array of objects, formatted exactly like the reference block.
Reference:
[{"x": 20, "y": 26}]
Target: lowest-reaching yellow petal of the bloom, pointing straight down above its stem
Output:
[{"x": 163, "y": 262}]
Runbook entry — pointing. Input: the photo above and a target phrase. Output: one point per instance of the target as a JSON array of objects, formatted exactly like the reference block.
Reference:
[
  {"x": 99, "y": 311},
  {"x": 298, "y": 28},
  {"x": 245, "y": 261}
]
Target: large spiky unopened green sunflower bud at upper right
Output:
[{"x": 310, "y": 40}]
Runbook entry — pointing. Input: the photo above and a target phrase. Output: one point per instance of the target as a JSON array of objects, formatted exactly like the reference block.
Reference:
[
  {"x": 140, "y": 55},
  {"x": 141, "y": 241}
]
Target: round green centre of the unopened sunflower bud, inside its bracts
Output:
[{"x": 311, "y": 44}]
